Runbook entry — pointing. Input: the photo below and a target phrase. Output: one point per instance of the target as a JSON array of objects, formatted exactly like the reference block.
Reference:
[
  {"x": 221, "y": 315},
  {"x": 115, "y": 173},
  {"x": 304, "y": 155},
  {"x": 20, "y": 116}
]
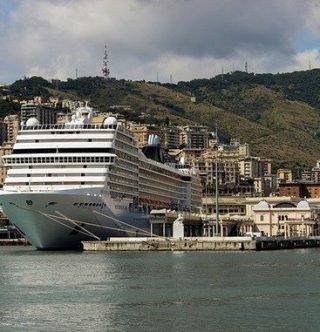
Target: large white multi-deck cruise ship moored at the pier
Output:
[{"x": 81, "y": 180}]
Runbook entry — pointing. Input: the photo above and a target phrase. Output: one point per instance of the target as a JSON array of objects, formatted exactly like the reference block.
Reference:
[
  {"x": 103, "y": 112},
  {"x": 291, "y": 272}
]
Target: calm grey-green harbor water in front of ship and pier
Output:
[{"x": 159, "y": 291}]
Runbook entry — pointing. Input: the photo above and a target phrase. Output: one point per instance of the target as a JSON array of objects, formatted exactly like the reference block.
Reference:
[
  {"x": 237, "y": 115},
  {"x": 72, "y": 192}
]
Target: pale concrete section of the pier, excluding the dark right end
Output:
[{"x": 164, "y": 244}]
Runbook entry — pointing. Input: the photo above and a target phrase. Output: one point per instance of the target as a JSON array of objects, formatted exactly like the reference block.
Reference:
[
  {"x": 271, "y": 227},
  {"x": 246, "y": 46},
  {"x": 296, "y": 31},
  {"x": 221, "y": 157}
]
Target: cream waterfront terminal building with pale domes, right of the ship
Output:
[{"x": 267, "y": 216}]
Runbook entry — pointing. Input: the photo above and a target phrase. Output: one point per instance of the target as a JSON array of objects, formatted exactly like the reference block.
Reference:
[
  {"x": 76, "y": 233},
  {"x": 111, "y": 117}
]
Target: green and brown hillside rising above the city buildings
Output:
[{"x": 278, "y": 115}]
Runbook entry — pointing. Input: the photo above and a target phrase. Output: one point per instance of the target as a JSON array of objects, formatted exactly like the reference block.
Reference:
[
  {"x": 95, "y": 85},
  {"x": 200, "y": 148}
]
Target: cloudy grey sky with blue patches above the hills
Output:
[{"x": 176, "y": 40}]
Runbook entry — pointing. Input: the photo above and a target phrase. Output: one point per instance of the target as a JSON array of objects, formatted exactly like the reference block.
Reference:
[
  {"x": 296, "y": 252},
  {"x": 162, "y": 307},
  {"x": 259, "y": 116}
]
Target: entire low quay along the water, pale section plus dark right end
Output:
[{"x": 201, "y": 244}]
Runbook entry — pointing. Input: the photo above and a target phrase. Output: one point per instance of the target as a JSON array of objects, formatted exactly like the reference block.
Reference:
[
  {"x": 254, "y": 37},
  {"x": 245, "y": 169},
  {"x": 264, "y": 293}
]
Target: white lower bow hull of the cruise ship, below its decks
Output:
[{"x": 52, "y": 221}]
